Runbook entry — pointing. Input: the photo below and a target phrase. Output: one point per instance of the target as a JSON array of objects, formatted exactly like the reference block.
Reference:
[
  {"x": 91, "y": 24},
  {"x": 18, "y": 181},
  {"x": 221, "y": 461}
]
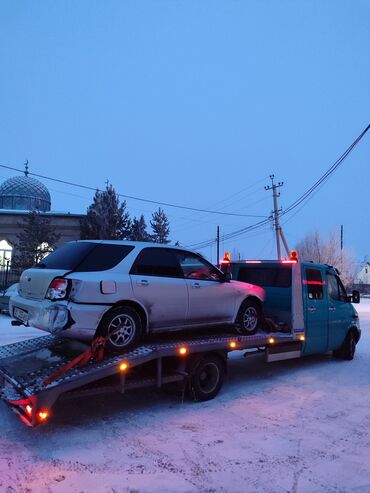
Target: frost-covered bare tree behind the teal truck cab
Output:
[{"x": 327, "y": 251}]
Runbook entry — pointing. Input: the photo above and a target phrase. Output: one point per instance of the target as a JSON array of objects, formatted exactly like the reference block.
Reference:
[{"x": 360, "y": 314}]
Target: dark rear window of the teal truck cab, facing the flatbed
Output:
[{"x": 267, "y": 277}]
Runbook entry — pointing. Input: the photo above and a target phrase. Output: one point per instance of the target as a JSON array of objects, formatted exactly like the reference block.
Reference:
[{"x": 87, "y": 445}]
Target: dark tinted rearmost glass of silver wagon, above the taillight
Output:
[{"x": 85, "y": 257}]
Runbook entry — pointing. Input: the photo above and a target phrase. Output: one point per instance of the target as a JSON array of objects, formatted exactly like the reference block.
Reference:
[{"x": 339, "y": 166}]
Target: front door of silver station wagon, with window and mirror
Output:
[{"x": 210, "y": 299}]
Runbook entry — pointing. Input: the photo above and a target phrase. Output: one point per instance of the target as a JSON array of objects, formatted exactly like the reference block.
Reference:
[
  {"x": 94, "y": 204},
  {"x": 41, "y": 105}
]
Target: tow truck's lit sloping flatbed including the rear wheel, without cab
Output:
[{"x": 198, "y": 363}]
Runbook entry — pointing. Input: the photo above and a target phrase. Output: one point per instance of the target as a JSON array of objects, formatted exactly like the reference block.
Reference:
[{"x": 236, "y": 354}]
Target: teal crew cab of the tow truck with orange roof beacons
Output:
[{"x": 304, "y": 298}]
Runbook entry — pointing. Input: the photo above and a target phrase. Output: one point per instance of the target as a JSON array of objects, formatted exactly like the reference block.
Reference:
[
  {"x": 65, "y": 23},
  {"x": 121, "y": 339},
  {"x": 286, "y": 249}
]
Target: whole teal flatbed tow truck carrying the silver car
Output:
[{"x": 303, "y": 317}]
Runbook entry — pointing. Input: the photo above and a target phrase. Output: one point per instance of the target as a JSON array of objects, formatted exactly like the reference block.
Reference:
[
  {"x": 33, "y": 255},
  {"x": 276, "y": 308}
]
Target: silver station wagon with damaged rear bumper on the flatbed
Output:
[{"x": 124, "y": 290}]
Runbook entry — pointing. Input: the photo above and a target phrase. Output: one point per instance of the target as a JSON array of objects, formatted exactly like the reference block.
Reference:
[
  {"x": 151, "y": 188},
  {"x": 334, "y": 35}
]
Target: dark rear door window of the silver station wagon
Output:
[{"x": 161, "y": 262}]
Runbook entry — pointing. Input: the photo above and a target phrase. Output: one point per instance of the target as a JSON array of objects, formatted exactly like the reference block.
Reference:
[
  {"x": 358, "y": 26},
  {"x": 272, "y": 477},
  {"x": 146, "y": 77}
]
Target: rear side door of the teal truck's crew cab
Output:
[{"x": 316, "y": 311}]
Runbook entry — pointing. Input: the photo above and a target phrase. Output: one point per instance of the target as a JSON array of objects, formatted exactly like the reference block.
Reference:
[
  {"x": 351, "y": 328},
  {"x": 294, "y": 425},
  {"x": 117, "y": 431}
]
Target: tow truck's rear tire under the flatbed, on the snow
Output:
[{"x": 206, "y": 377}]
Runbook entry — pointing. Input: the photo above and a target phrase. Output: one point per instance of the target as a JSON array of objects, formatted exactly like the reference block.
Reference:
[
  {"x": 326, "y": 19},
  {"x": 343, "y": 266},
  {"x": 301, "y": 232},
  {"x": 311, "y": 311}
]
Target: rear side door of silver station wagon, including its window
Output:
[{"x": 158, "y": 284}]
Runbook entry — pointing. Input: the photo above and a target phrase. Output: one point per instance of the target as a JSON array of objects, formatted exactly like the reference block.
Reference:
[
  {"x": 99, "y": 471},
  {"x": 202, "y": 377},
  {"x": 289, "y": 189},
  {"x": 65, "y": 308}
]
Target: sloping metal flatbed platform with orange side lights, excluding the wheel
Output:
[{"x": 24, "y": 366}]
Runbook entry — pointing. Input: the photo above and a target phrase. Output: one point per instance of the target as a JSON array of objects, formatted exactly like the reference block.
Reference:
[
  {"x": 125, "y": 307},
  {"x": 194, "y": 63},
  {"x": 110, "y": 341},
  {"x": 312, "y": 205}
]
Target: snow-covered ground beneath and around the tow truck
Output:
[{"x": 293, "y": 426}]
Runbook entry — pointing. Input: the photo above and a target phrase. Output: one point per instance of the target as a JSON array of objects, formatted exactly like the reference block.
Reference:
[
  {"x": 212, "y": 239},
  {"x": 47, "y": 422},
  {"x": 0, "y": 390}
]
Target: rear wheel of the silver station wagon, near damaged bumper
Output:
[{"x": 125, "y": 323}]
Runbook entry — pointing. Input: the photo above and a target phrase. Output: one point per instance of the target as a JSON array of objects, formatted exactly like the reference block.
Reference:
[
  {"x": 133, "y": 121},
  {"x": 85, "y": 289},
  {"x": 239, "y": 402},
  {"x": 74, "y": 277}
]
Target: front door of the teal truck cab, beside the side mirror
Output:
[{"x": 339, "y": 311}]
